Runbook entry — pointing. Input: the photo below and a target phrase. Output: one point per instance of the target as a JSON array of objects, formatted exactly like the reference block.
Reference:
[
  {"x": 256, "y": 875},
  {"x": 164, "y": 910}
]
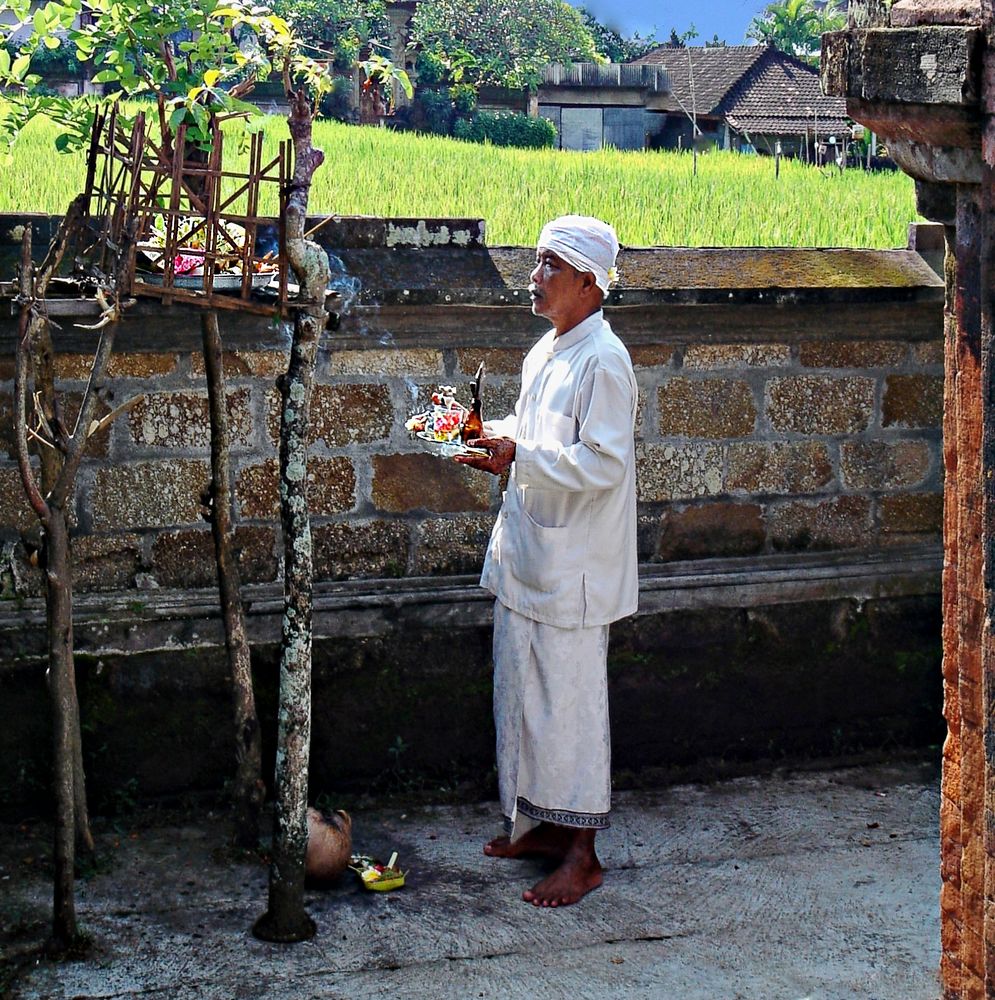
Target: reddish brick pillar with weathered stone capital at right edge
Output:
[{"x": 940, "y": 128}]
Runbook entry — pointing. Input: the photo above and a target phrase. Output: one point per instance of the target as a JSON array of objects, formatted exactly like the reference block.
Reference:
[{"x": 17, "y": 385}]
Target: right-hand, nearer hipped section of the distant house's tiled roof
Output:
[{"x": 781, "y": 95}]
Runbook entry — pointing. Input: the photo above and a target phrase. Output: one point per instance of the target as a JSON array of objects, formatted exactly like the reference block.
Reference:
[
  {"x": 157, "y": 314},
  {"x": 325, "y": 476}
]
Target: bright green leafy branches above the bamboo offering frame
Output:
[{"x": 134, "y": 46}]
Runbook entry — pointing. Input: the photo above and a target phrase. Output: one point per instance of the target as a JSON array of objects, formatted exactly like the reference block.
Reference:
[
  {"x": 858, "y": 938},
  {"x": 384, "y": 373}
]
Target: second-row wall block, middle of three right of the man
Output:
[{"x": 815, "y": 404}]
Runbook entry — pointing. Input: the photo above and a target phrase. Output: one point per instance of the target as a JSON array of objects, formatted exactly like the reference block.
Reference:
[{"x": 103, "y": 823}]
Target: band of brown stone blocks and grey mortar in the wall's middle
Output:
[{"x": 742, "y": 449}]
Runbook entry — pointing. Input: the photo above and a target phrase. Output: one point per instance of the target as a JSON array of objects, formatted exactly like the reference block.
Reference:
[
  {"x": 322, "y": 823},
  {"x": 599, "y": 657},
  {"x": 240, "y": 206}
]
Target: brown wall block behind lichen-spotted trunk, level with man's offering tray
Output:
[{"x": 353, "y": 413}]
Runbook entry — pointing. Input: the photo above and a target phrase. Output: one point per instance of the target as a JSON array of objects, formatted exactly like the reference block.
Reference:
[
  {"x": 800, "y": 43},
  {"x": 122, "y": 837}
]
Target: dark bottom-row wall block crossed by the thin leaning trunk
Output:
[{"x": 186, "y": 558}]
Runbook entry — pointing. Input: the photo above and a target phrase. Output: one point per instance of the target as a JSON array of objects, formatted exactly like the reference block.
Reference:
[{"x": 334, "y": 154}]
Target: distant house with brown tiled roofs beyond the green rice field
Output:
[{"x": 744, "y": 97}]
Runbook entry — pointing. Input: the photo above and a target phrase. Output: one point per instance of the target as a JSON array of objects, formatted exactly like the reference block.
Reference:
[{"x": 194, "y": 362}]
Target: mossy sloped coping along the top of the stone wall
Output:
[{"x": 436, "y": 295}]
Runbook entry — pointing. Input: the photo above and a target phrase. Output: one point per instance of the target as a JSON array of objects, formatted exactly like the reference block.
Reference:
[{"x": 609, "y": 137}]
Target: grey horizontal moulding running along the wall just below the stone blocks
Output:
[{"x": 142, "y": 621}]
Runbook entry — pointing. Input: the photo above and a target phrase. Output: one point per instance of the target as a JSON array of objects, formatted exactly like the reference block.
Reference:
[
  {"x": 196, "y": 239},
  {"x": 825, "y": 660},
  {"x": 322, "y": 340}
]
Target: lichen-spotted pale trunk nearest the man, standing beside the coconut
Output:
[{"x": 286, "y": 918}]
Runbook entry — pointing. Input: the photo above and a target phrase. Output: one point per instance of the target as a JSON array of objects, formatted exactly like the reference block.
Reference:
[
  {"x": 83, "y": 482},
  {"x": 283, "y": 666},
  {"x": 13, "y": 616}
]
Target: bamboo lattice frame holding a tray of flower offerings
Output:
[{"x": 177, "y": 200}]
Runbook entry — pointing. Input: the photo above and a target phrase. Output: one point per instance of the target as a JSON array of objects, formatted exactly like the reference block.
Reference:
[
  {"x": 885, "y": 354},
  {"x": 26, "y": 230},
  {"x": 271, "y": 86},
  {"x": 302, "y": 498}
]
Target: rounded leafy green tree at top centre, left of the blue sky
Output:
[{"x": 506, "y": 43}]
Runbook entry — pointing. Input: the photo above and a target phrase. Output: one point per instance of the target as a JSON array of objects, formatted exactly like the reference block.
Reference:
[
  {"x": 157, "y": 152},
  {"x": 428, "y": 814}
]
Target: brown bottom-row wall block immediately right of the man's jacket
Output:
[{"x": 710, "y": 530}]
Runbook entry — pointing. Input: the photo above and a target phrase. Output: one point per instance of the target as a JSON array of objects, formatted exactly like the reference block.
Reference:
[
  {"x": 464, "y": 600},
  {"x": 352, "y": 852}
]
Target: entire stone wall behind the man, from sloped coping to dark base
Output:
[{"x": 789, "y": 478}]
